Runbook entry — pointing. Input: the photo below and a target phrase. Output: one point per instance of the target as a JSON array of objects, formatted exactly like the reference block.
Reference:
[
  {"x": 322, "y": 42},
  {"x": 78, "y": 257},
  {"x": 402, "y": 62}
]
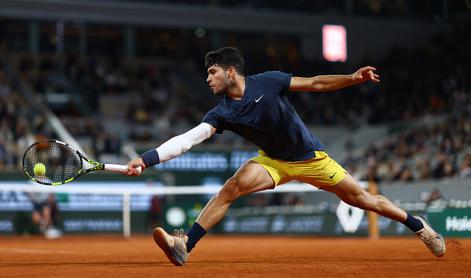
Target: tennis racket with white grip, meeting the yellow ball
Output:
[{"x": 54, "y": 163}]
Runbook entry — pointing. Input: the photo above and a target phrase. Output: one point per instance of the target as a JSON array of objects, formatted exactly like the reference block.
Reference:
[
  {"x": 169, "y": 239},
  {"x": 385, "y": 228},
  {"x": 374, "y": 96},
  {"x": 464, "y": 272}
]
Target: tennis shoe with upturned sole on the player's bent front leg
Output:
[{"x": 174, "y": 246}]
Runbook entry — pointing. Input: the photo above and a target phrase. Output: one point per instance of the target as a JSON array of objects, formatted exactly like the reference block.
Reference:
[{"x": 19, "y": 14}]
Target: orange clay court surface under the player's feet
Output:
[{"x": 231, "y": 256}]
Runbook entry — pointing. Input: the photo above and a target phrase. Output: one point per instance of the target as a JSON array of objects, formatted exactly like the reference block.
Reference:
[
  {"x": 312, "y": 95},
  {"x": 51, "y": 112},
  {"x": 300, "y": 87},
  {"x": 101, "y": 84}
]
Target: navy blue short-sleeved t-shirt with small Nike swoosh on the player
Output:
[{"x": 266, "y": 117}]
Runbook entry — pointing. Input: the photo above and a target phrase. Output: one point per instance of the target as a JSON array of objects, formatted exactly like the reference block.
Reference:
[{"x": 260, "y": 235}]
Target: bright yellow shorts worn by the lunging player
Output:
[{"x": 319, "y": 171}]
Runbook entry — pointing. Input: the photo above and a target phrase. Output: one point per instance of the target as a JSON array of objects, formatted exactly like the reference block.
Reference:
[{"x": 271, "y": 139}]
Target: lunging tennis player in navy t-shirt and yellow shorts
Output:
[{"x": 257, "y": 108}]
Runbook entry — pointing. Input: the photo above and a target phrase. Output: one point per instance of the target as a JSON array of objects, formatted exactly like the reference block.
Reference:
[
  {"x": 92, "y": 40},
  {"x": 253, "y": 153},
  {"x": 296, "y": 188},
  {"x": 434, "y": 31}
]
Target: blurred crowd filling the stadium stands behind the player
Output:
[{"x": 154, "y": 99}]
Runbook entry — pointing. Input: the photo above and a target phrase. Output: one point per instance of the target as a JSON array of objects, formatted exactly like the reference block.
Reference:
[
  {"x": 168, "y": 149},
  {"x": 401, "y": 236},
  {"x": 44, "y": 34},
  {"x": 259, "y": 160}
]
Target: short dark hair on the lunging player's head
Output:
[{"x": 226, "y": 57}]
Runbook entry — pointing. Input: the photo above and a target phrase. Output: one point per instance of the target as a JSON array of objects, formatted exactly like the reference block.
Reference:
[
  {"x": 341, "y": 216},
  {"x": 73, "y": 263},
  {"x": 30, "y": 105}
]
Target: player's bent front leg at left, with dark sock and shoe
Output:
[{"x": 251, "y": 177}]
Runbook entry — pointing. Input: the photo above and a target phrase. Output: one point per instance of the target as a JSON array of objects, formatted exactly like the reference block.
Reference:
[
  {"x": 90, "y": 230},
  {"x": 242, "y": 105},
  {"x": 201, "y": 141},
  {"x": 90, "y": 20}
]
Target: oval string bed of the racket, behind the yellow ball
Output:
[{"x": 60, "y": 162}]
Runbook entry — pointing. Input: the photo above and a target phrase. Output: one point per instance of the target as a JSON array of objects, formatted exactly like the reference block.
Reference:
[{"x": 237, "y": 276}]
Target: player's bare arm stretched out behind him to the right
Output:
[{"x": 327, "y": 83}]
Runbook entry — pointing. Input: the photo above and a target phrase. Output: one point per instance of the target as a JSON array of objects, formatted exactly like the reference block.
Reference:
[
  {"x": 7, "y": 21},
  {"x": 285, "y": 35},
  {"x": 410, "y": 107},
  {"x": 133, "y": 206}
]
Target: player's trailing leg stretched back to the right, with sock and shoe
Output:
[{"x": 351, "y": 193}]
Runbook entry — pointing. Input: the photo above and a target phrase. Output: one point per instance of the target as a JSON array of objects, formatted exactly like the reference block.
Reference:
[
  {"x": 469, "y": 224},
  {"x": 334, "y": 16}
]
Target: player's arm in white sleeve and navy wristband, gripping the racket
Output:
[{"x": 171, "y": 149}]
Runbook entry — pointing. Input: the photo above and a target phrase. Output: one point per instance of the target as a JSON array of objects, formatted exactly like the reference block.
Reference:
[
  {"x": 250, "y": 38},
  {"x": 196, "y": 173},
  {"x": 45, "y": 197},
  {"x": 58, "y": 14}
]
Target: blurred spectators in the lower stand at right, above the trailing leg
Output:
[{"x": 434, "y": 151}]
